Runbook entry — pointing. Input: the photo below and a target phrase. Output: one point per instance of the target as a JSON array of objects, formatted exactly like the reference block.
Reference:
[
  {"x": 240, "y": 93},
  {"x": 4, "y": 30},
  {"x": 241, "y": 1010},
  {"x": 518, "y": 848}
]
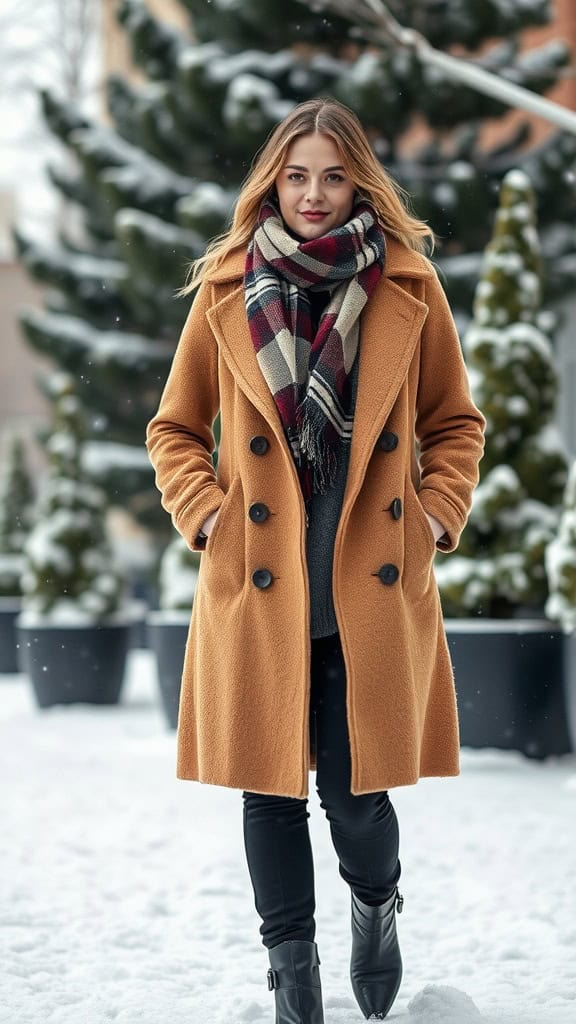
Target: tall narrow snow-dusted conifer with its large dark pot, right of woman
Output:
[{"x": 509, "y": 657}]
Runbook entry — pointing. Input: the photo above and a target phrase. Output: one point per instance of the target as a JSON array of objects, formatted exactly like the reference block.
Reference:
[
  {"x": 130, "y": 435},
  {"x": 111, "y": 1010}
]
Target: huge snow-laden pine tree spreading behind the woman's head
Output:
[{"x": 158, "y": 185}]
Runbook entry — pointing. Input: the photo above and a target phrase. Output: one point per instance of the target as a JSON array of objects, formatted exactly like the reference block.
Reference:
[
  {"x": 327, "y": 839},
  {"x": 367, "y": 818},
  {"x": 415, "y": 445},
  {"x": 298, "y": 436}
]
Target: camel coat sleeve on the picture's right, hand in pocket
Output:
[{"x": 449, "y": 428}]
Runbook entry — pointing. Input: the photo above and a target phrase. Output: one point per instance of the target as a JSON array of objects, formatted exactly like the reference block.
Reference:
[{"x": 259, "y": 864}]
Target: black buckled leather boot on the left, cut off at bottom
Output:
[{"x": 295, "y": 977}]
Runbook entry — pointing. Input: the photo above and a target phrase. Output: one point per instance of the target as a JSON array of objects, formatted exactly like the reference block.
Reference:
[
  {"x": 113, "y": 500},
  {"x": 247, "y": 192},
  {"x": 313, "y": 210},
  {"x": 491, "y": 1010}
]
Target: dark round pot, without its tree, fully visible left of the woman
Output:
[{"x": 71, "y": 665}]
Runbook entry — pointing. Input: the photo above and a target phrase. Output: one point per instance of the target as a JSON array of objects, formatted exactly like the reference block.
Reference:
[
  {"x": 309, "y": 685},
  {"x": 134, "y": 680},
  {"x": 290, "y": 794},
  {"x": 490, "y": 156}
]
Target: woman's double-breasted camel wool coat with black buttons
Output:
[{"x": 244, "y": 715}]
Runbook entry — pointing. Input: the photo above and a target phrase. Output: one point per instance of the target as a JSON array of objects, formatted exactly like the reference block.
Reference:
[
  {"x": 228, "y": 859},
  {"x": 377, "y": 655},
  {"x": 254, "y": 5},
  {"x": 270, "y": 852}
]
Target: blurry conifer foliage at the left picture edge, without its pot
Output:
[{"x": 17, "y": 496}]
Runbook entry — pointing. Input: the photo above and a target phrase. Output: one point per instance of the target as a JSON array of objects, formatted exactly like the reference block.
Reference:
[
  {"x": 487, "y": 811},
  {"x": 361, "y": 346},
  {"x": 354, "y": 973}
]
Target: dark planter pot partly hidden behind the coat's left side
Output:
[{"x": 168, "y": 638}]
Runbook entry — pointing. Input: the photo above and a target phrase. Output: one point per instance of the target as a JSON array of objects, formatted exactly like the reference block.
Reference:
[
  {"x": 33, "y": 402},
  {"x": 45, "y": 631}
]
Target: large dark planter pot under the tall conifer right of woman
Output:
[{"x": 516, "y": 685}]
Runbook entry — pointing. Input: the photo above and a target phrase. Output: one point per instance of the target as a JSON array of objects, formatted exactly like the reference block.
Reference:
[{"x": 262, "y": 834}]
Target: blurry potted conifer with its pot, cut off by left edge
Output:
[{"x": 16, "y": 505}]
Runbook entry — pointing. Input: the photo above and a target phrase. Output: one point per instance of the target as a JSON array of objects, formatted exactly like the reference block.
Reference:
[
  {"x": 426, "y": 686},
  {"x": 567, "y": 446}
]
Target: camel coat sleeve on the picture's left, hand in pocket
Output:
[{"x": 180, "y": 438}]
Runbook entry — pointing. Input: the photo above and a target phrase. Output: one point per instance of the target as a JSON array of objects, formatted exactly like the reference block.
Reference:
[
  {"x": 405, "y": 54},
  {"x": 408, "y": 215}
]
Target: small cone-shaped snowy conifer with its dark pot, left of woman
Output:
[{"x": 75, "y": 625}]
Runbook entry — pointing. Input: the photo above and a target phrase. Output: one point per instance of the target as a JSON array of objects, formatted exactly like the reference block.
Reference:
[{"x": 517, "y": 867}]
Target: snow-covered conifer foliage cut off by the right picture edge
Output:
[{"x": 561, "y": 563}]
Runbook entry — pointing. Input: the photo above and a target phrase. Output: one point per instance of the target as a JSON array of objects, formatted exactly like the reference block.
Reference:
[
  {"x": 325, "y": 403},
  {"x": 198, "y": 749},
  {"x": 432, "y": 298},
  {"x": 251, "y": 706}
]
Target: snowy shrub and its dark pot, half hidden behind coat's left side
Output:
[{"x": 169, "y": 627}]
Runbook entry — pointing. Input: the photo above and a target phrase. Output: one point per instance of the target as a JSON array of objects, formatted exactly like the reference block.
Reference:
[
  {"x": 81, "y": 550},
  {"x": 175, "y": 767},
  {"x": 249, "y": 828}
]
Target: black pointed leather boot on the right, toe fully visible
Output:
[{"x": 376, "y": 961}]
